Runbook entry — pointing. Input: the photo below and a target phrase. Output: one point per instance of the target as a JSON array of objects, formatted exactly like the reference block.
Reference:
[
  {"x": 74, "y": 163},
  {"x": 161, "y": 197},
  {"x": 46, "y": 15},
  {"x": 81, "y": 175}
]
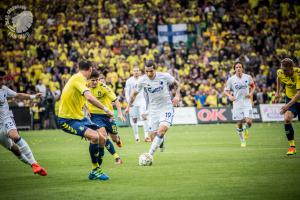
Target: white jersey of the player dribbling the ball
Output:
[{"x": 157, "y": 92}]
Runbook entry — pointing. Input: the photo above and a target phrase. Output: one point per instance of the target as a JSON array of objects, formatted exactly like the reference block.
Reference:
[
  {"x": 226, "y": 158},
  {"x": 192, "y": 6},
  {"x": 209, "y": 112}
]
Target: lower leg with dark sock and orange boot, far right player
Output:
[{"x": 289, "y": 131}]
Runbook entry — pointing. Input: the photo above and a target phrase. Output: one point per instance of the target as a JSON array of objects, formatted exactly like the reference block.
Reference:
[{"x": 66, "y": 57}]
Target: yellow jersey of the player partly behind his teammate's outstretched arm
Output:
[{"x": 105, "y": 95}]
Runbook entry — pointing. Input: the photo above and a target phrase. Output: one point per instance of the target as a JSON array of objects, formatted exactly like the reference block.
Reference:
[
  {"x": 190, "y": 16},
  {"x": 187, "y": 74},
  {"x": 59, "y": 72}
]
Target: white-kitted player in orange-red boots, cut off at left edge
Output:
[{"x": 9, "y": 136}]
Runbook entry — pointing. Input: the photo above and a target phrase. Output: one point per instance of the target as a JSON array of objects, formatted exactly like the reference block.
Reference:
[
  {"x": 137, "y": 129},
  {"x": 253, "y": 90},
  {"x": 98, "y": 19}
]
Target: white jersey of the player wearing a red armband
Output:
[{"x": 240, "y": 88}]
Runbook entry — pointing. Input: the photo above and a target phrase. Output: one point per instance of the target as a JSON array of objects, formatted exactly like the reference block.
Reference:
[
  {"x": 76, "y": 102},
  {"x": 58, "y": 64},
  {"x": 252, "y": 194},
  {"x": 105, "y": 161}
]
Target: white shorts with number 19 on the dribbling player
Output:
[{"x": 156, "y": 117}]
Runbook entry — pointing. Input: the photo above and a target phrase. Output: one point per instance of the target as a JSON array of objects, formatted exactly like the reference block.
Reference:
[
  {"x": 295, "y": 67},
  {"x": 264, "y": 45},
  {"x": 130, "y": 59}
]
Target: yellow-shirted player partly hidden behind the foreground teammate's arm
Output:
[{"x": 106, "y": 96}]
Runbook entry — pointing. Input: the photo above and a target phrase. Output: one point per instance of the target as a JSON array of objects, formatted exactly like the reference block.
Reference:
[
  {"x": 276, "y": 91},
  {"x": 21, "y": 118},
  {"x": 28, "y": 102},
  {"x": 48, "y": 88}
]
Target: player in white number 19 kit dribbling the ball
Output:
[{"x": 159, "y": 102}]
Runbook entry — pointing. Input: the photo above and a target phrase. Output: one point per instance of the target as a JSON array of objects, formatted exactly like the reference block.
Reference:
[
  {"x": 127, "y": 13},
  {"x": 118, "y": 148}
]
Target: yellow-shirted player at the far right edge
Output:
[{"x": 289, "y": 76}]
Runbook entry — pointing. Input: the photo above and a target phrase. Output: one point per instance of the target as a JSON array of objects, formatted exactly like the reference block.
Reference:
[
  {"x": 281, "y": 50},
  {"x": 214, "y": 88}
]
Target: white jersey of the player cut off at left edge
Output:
[{"x": 4, "y": 107}]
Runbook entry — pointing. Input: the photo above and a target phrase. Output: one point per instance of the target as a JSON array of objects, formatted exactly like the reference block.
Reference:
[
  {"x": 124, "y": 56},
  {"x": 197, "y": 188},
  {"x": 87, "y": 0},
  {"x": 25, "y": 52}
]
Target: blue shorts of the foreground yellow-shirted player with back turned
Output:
[{"x": 76, "y": 126}]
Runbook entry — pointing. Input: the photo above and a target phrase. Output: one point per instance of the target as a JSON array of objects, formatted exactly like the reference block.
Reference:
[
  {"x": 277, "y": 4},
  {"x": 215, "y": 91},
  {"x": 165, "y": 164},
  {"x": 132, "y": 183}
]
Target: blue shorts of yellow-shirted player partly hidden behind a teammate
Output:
[{"x": 103, "y": 120}]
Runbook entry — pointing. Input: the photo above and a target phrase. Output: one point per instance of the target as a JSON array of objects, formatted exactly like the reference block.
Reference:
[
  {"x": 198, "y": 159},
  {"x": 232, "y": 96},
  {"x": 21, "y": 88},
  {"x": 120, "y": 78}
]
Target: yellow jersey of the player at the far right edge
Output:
[{"x": 292, "y": 83}]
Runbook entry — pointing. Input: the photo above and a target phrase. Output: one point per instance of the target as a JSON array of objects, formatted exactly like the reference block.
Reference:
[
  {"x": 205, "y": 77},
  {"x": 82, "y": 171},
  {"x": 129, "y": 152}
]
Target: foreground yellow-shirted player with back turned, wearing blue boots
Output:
[{"x": 71, "y": 118}]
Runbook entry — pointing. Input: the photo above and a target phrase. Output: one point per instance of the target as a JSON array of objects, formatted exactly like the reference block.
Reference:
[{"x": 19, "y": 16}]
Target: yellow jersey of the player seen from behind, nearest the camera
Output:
[{"x": 72, "y": 99}]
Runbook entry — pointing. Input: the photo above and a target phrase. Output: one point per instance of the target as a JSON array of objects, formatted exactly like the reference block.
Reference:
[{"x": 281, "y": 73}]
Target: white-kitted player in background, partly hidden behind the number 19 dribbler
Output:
[{"x": 138, "y": 109}]
